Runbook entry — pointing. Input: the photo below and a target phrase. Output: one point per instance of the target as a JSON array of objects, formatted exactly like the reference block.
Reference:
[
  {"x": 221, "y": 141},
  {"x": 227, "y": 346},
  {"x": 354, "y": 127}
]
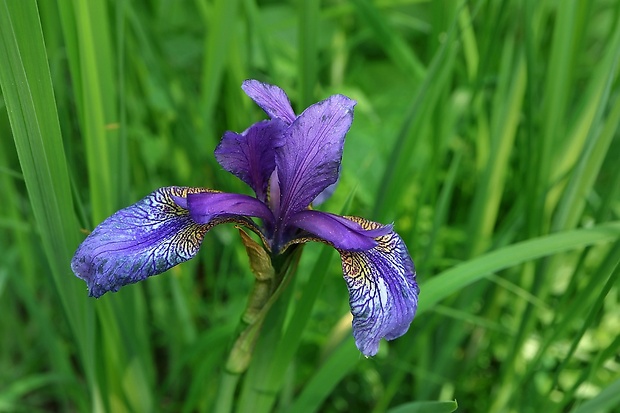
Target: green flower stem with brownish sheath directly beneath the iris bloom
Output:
[{"x": 272, "y": 277}]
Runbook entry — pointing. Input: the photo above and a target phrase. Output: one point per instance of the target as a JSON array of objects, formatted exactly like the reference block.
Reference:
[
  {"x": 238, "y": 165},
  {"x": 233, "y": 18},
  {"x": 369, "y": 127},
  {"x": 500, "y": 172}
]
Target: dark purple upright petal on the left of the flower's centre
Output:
[{"x": 251, "y": 155}]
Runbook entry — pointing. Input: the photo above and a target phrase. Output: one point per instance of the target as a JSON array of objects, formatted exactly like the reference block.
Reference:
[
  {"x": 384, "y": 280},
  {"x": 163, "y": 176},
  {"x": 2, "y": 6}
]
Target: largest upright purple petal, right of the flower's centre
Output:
[{"x": 308, "y": 161}]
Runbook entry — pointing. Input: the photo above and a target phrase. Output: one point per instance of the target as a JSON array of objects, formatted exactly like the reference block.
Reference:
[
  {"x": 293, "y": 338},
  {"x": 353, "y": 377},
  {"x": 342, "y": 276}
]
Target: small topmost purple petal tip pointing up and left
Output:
[{"x": 271, "y": 99}]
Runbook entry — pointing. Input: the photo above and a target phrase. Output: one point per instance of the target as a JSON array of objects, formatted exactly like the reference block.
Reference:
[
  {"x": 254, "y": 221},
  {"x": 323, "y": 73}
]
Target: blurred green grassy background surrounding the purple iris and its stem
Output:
[{"x": 486, "y": 130}]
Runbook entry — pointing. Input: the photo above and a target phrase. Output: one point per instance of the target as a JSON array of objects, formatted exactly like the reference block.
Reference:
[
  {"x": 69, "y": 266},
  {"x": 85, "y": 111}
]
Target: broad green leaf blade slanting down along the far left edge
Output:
[{"x": 27, "y": 89}]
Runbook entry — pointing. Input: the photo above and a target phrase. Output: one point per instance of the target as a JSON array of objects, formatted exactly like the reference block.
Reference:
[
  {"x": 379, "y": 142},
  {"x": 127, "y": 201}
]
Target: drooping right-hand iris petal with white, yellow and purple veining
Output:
[{"x": 382, "y": 288}]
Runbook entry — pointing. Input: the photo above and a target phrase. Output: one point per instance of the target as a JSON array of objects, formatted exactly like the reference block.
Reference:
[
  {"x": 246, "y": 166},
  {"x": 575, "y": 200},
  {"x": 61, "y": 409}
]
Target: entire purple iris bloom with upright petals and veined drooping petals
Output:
[{"x": 288, "y": 161}]
